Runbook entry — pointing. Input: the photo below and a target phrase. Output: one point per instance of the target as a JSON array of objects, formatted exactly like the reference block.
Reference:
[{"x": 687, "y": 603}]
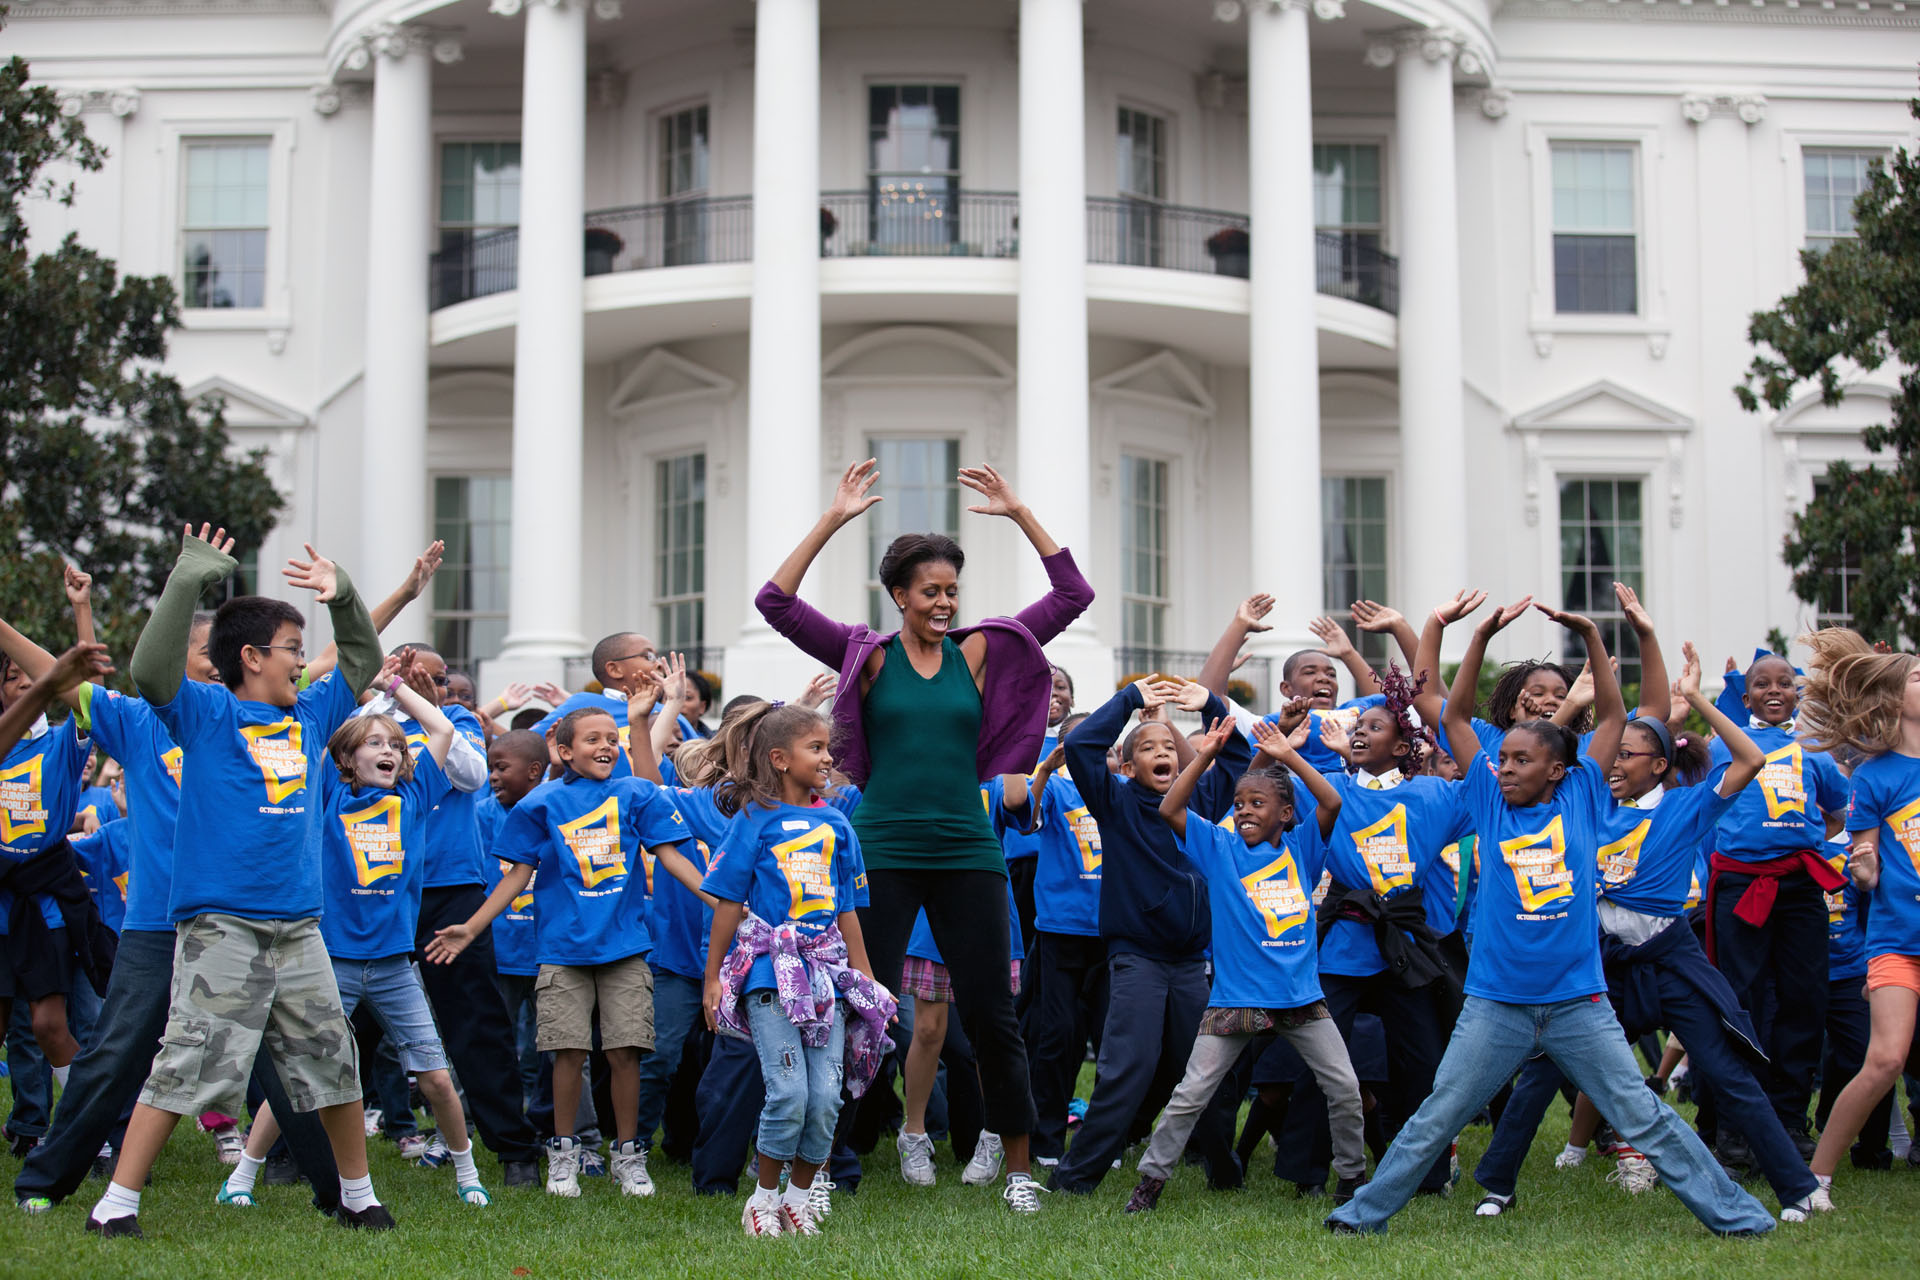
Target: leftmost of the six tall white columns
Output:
[{"x": 395, "y": 519}]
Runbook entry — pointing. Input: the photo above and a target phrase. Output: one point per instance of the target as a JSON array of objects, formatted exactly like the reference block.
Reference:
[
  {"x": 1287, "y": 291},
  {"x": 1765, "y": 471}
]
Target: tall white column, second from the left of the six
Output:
[{"x": 548, "y": 350}]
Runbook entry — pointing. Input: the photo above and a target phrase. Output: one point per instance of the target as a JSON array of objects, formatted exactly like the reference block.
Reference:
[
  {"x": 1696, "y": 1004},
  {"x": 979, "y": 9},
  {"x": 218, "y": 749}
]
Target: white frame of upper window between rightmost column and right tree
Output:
[{"x": 1650, "y": 287}]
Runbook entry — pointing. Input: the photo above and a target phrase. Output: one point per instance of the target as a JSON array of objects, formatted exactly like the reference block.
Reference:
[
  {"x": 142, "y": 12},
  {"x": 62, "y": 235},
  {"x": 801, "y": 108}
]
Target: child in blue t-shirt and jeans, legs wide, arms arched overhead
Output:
[{"x": 1535, "y": 980}]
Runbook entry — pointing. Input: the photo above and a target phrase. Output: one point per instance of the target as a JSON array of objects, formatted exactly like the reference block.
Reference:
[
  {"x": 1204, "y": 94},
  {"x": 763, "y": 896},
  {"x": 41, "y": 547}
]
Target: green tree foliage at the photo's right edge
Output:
[{"x": 1858, "y": 312}]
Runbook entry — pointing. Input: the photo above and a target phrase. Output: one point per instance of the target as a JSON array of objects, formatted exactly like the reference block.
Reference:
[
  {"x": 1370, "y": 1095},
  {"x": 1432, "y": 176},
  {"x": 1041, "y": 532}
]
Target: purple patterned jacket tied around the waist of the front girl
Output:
[{"x": 811, "y": 974}]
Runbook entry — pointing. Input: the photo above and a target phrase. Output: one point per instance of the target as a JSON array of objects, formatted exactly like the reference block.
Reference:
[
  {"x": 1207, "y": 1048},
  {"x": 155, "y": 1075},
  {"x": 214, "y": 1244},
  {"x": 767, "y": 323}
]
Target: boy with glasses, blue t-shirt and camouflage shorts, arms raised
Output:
[{"x": 247, "y": 886}]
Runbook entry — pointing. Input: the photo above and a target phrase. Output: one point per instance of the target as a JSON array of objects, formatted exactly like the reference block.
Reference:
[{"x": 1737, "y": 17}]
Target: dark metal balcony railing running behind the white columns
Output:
[{"x": 913, "y": 220}]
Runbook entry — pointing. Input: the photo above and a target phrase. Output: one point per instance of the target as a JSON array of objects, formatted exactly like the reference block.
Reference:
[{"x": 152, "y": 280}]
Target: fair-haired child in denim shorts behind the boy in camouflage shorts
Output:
[{"x": 372, "y": 838}]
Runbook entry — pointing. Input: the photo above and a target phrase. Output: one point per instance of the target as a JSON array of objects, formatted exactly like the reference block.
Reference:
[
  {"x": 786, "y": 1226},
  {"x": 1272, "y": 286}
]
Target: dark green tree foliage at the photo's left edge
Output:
[{"x": 103, "y": 458}]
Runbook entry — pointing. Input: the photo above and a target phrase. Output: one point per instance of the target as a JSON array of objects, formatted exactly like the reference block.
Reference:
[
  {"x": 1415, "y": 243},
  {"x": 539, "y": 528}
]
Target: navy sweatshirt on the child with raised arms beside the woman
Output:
[{"x": 1153, "y": 899}]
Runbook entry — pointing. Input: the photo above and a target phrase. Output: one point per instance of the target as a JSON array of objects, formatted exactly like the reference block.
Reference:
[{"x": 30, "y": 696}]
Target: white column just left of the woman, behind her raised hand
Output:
[{"x": 784, "y": 471}]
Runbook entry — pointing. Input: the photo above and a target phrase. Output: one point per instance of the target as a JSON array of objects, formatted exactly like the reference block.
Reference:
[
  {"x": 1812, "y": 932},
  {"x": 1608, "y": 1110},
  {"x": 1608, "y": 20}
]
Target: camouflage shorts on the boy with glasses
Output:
[{"x": 241, "y": 985}]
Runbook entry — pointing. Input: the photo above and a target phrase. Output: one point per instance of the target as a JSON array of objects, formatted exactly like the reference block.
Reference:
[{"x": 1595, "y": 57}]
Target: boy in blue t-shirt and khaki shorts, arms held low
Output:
[{"x": 585, "y": 834}]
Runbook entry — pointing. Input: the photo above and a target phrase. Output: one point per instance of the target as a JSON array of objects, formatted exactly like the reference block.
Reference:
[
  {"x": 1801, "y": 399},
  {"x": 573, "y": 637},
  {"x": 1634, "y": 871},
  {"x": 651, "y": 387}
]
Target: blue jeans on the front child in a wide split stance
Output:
[{"x": 1587, "y": 1043}]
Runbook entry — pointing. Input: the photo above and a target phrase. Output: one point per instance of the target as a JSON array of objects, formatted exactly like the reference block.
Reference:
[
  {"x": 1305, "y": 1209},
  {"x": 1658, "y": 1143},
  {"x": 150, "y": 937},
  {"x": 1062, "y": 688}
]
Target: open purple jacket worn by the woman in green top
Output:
[{"x": 1019, "y": 680}]
